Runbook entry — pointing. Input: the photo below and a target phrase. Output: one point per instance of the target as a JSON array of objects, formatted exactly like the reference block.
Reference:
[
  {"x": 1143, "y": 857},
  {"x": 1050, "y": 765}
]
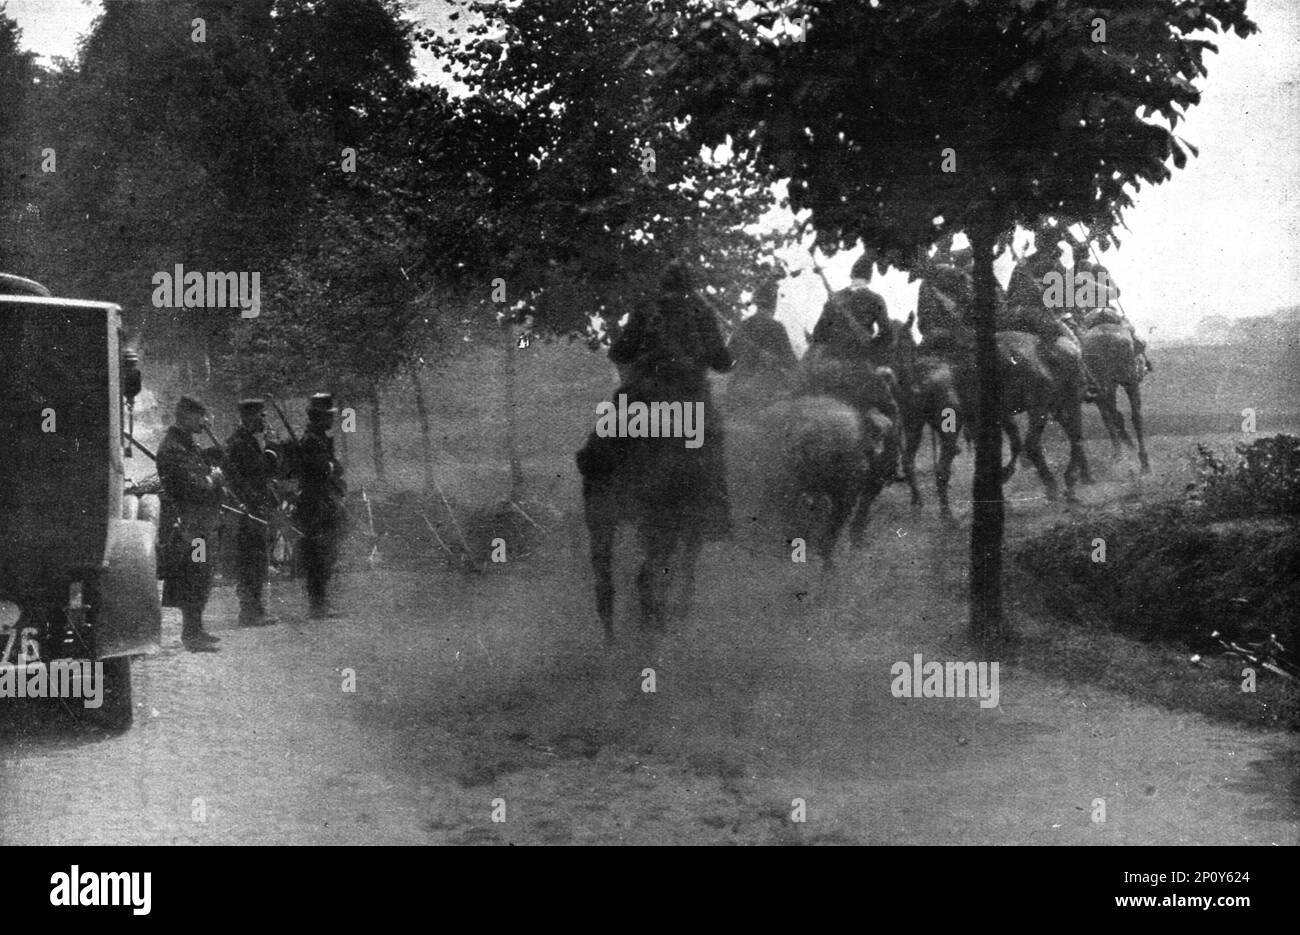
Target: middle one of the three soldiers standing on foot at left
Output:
[{"x": 250, "y": 470}]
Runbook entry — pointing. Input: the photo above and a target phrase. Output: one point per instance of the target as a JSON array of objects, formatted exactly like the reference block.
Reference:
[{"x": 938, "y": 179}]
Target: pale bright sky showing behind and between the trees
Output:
[{"x": 1221, "y": 239}]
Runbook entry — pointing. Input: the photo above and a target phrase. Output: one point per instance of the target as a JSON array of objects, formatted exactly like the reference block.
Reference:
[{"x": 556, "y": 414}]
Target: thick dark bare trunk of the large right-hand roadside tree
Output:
[{"x": 987, "y": 521}]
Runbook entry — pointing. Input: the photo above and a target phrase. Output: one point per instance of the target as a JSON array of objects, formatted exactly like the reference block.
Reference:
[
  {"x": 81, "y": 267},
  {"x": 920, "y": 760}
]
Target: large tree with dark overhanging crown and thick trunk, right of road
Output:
[{"x": 899, "y": 123}]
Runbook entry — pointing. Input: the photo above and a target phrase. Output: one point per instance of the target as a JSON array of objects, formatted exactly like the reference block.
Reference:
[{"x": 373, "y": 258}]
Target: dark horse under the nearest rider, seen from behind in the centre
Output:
[{"x": 661, "y": 488}]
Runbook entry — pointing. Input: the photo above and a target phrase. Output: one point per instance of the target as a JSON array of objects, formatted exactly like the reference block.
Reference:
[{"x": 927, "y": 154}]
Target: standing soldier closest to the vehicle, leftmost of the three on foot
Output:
[{"x": 192, "y": 505}]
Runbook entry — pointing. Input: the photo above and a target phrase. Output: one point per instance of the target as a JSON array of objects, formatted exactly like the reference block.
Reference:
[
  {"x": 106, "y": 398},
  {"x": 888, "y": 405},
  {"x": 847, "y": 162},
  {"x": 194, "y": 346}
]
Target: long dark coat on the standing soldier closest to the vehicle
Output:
[{"x": 192, "y": 509}]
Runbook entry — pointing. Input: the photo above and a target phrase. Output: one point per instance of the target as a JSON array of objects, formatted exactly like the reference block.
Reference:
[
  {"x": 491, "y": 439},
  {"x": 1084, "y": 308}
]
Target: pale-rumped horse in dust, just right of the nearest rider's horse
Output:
[{"x": 837, "y": 447}]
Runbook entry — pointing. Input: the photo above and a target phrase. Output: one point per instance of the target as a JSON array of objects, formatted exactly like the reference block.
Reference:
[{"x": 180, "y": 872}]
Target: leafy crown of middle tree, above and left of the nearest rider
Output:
[{"x": 570, "y": 185}]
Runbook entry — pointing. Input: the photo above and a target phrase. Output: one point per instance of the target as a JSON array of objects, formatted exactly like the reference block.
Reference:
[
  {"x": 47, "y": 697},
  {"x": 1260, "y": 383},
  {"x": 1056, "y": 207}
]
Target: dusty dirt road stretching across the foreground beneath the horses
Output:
[{"x": 492, "y": 696}]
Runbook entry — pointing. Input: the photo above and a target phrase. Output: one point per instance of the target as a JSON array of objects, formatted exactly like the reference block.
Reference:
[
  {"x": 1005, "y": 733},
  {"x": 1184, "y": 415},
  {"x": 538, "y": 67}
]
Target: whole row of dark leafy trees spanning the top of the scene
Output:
[{"x": 587, "y": 144}]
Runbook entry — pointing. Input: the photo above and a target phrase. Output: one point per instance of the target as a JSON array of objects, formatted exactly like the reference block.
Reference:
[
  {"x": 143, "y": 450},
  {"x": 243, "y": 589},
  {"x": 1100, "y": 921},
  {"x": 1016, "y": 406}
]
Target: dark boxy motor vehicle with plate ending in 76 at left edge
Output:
[{"x": 77, "y": 579}]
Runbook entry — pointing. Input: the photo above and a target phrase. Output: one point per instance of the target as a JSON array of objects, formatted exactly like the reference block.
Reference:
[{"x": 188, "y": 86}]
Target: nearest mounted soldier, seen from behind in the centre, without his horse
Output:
[{"x": 666, "y": 353}]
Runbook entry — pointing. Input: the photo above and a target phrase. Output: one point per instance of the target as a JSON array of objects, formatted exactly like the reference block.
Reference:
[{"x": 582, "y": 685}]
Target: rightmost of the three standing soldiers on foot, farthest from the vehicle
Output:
[{"x": 320, "y": 512}]
